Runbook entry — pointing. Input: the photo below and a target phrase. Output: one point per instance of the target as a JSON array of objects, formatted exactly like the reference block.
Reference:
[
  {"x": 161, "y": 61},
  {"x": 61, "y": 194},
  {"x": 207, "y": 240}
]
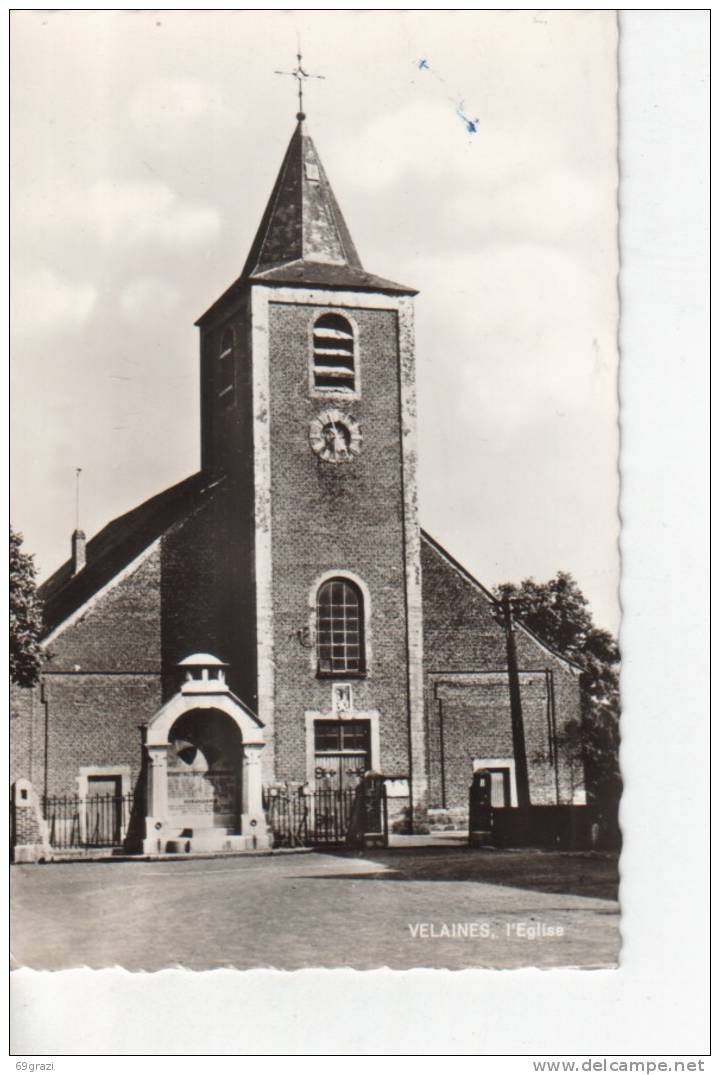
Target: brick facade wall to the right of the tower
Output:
[{"x": 468, "y": 696}]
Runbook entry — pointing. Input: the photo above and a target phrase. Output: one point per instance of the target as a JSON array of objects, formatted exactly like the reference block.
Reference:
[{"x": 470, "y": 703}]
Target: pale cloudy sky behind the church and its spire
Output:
[{"x": 145, "y": 148}]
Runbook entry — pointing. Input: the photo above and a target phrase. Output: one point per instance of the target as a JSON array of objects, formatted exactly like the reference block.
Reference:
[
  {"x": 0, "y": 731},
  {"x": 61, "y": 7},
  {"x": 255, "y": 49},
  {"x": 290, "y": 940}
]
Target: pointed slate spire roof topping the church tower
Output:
[{"x": 304, "y": 239}]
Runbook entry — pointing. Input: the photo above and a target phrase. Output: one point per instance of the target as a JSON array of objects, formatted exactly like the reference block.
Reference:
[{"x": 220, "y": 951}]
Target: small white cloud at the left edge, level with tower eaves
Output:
[{"x": 42, "y": 303}]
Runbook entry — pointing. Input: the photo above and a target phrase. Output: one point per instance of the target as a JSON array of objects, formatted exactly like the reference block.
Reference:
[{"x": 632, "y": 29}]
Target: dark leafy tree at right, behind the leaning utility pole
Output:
[{"x": 558, "y": 613}]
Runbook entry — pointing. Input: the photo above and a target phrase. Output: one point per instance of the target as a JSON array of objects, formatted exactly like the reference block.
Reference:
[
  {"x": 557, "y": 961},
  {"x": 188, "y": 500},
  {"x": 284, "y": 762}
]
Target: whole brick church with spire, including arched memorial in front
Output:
[{"x": 280, "y": 620}]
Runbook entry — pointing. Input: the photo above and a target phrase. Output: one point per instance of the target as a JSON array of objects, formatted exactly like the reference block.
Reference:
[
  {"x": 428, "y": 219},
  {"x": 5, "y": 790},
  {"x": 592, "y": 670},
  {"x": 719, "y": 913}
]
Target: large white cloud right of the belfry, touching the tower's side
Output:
[{"x": 523, "y": 328}]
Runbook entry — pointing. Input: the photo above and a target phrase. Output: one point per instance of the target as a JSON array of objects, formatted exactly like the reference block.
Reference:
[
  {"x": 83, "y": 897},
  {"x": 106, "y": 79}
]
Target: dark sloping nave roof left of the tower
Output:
[{"x": 117, "y": 546}]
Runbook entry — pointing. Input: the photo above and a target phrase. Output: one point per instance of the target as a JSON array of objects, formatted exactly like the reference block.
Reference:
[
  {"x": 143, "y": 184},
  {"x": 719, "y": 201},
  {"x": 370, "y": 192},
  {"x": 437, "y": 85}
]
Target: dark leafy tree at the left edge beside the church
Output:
[{"x": 25, "y": 617}]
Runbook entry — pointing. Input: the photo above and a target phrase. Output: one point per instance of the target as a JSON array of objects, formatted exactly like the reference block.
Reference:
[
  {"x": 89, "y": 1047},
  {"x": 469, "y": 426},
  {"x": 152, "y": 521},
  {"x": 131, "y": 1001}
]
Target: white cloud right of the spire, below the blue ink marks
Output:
[{"x": 502, "y": 184}]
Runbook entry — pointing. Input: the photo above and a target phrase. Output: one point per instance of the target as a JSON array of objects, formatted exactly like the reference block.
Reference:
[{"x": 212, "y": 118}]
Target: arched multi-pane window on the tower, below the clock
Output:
[{"x": 341, "y": 643}]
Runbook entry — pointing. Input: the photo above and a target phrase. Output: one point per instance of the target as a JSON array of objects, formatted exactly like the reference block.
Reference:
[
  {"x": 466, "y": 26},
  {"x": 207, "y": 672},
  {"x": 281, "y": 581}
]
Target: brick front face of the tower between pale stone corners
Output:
[{"x": 337, "y": 517}]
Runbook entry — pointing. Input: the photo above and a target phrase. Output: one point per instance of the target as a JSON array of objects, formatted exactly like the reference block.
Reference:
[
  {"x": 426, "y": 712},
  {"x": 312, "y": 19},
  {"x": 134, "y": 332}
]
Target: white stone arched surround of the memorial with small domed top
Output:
[{"x": 205, "y": 687}]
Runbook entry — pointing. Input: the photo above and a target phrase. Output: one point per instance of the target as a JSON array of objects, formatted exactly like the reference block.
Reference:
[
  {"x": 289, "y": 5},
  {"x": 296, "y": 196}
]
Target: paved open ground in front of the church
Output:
[{"x": 384, "y": 909}]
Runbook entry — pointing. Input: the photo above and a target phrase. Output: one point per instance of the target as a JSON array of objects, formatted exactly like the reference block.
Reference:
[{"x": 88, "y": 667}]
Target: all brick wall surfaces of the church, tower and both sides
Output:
[{"x": 110, "y": 669}]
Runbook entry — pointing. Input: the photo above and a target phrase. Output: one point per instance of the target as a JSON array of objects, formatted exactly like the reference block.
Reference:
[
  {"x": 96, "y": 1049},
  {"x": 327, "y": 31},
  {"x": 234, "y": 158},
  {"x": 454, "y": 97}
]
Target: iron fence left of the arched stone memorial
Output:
[{"x": 94, "y": 822}]
